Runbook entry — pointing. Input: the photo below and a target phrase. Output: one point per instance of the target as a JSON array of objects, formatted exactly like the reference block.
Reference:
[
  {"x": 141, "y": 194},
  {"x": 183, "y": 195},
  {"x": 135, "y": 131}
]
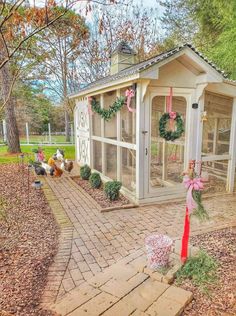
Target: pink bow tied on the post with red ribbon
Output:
[{"x": 192, "y": 184}]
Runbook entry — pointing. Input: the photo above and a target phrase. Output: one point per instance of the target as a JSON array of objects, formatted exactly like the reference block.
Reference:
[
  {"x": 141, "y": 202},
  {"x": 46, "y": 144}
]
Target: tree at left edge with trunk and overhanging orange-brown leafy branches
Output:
[{"x": 20, "y": 22}]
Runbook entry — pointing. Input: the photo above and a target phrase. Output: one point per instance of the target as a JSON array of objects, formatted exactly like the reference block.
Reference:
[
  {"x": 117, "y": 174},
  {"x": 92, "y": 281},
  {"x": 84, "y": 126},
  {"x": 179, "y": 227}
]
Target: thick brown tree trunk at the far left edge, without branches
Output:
[{"x": 13, "y": 140}]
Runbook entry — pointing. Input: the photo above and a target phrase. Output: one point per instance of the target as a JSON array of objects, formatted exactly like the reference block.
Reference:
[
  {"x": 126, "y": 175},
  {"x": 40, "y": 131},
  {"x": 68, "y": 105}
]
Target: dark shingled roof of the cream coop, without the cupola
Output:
[{"x": 146, "y": 64}]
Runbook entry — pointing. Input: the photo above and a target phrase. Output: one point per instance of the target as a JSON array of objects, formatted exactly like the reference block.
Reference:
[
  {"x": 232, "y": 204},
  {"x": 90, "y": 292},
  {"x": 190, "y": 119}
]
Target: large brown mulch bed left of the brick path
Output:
[{"x": 28, "y": 242}]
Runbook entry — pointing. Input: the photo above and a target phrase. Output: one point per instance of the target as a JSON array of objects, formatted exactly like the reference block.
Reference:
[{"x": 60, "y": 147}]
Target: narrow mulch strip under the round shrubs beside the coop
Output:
[{"x": 99, "y": 196}]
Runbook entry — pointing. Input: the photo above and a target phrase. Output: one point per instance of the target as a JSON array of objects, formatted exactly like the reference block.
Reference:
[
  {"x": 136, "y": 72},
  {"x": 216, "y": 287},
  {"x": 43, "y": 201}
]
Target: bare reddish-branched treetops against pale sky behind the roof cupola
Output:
[{"x": 108, "y": 26}]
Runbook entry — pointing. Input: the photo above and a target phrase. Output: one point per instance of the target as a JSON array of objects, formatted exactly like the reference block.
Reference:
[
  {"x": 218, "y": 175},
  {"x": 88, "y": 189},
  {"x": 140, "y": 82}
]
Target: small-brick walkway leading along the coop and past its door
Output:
[{"x": 100, "y": 239}]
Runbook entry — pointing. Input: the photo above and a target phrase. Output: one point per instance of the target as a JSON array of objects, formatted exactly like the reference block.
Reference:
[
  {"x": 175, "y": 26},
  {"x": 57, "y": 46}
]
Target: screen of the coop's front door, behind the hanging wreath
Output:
[{"x": 166, "y": 158}]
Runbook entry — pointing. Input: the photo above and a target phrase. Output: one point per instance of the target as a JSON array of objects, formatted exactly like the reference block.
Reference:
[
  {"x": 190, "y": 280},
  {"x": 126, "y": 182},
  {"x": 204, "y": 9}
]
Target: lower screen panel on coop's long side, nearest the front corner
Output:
[{"x": 128, "y": 168}]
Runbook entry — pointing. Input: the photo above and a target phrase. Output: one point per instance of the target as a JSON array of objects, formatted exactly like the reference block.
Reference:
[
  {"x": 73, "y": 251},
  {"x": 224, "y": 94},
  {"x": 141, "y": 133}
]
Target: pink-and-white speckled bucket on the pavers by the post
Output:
[{"x": 158, "y": 250}]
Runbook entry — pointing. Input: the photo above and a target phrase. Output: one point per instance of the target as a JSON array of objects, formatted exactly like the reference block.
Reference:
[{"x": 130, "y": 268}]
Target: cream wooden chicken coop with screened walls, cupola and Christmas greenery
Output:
[{"x": 126, "y": 144}]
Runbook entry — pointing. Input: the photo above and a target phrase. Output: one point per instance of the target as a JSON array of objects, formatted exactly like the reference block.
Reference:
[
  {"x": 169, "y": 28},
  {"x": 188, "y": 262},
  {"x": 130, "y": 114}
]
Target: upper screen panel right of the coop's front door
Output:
[{"x": 216, "y": 127}]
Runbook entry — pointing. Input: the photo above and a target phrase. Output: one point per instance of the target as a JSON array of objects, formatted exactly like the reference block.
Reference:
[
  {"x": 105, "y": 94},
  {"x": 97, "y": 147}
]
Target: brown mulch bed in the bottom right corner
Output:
[{"x": 222, "y": 297}]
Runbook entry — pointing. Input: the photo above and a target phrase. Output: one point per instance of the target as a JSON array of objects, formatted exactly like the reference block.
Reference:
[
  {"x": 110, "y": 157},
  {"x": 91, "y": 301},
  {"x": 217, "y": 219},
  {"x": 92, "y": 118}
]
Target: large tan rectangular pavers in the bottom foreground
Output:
[{"x": 126, "y": 288}]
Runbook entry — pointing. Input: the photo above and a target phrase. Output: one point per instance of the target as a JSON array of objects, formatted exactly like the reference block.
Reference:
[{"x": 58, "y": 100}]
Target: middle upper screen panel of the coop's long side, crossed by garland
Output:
[{"x": 110, "y": 126}]
